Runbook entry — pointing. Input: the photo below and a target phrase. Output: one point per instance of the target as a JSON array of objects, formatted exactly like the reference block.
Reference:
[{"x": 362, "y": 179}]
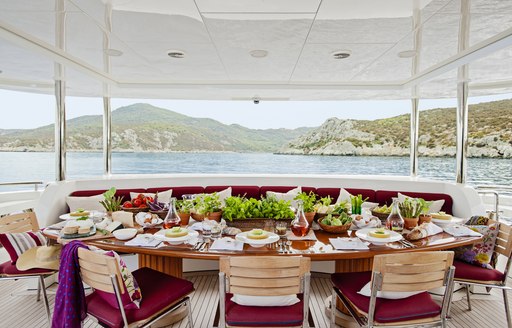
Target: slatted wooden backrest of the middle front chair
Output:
[{"x": 265, "y": 275}]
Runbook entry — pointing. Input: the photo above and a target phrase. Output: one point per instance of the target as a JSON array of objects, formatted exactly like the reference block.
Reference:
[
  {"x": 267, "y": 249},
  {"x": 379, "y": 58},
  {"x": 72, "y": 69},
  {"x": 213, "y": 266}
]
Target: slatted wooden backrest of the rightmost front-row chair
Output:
[{"x": 414, "y": 271}]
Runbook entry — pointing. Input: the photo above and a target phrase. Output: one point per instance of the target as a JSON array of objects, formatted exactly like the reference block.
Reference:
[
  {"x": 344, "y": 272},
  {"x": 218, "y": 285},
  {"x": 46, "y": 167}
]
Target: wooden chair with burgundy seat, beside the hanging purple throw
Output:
[{"x": 161, "y": 293}]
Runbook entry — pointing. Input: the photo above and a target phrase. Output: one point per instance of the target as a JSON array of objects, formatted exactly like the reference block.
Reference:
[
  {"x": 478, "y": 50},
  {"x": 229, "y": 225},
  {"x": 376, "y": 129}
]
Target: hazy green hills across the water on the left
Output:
[{"x": 145, "y": 128}]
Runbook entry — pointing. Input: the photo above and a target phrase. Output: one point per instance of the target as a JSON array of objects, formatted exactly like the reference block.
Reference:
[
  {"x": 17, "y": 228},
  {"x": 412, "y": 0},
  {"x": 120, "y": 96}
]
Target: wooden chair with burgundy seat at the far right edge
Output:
[{"x": 472, "y": 275}]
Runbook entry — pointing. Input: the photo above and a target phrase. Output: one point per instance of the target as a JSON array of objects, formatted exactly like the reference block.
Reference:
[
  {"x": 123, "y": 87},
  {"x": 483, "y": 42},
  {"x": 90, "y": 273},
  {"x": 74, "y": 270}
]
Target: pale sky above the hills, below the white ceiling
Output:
[{"x": 28, "y": 110}]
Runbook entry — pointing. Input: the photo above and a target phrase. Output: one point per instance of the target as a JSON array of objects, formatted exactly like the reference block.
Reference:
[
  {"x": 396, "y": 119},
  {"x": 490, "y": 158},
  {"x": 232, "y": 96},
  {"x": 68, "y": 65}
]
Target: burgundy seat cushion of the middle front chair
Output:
[{"x": 263, "y": 316}]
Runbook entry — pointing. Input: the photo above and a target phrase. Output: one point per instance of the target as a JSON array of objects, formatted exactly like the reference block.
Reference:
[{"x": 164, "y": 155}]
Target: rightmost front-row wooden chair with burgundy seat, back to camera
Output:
[{"x": 406, "y": 272}]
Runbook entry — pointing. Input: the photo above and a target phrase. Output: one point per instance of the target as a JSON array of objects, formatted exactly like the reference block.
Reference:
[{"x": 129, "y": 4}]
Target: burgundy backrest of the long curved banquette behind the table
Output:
[{"x": 377, "y": 196}]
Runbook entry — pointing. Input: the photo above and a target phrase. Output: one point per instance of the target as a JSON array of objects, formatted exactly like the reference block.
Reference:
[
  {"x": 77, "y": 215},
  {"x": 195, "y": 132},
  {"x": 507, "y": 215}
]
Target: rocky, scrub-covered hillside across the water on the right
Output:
[{"x": 490, "y": 134}]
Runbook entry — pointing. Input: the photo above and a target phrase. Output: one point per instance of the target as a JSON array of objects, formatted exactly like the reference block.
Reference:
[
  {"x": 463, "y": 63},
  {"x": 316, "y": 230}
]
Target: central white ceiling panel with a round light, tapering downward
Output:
[{"x": 282, "y": 36}]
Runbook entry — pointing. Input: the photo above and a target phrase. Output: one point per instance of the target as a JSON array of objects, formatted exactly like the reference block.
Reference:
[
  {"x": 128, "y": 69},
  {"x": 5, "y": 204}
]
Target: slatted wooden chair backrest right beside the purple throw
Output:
[{"x": 96, "y": 270}]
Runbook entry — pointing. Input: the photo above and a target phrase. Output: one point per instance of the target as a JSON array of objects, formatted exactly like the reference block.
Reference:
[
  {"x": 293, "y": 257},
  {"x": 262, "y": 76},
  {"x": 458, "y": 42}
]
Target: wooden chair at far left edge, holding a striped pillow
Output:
[{"x": 24, "y": 222}]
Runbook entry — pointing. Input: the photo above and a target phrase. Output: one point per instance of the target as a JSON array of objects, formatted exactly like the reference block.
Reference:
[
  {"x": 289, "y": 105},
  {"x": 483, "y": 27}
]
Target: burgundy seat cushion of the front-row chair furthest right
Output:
[{"x": 415, "y": 307}]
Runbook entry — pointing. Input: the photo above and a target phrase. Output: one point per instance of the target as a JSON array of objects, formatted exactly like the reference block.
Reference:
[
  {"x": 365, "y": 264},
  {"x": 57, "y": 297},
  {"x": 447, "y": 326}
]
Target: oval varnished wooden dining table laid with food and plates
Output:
[{"x": 169, "y": 258}]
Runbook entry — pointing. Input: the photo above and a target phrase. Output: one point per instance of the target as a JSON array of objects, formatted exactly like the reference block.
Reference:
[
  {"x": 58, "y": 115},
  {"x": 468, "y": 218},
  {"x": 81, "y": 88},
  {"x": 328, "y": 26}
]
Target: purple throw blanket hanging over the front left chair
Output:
[{"x": 70, "y": 307}]
